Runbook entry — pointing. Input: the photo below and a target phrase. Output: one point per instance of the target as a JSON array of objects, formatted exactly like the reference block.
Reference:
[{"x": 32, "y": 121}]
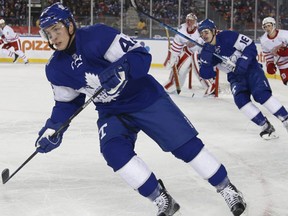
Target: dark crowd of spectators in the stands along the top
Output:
[{"x": 15, "y": 12}]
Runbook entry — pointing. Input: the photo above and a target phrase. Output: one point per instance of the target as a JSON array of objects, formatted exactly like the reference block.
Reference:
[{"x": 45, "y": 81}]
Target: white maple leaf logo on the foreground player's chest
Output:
[{"x": 92, "y": 85}]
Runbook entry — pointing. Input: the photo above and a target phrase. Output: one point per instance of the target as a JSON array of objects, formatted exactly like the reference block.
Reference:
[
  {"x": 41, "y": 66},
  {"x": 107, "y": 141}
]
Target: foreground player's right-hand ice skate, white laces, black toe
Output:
[{"x": 234, "y": 199}]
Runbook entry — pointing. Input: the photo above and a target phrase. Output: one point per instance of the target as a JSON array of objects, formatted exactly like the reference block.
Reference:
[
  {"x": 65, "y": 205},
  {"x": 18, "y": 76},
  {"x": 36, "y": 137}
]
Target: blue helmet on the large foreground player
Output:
[{"x": 54, "y": 14}]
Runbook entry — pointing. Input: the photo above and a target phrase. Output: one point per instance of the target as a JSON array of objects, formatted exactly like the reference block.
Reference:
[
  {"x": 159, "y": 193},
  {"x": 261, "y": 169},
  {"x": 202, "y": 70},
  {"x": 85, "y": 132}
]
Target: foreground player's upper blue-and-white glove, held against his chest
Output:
[{"x": 113, "y": 79}]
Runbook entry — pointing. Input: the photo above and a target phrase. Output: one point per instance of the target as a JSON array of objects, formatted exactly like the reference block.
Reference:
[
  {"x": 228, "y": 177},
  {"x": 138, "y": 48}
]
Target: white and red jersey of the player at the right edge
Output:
[{"x": 268, "y": 44}]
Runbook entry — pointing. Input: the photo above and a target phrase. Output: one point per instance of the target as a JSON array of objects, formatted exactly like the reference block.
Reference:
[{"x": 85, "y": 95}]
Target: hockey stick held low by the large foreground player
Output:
[{"x": 5, "y": 173}]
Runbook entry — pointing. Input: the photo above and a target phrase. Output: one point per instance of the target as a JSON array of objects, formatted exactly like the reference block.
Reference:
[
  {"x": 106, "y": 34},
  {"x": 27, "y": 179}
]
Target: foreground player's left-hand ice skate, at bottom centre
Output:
[{"x": 167, "y": 206}]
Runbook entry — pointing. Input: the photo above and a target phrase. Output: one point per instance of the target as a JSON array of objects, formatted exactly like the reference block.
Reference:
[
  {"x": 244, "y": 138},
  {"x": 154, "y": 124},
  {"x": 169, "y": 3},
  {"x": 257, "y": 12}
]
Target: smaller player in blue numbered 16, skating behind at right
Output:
[{"x": 244, "y": 73}]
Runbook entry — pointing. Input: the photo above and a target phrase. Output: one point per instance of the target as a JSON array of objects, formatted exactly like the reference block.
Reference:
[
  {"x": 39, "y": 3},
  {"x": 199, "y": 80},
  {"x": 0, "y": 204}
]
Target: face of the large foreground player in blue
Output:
[{"x": 58, "y": 36}]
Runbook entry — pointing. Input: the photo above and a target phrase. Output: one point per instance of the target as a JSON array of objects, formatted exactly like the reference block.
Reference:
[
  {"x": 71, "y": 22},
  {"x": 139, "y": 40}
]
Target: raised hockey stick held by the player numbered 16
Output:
[{"x": 133, "y": 2}]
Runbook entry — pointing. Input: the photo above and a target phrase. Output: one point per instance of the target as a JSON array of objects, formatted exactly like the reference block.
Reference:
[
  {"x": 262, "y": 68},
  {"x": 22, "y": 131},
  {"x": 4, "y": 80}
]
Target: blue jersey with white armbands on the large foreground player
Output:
[{"x": 74, "y": 75}]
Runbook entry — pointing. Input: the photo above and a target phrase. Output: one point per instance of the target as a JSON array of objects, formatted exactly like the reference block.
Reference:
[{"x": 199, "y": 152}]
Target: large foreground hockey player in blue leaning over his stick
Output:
[{"x": 89, "y": 58}]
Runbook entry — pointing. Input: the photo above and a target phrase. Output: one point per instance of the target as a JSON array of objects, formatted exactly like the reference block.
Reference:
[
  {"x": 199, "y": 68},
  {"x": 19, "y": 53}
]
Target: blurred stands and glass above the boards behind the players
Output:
[{"x": 241, "y": 15}]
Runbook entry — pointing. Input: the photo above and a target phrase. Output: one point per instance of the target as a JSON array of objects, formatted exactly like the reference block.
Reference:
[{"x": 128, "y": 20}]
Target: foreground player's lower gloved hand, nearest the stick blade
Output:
[{"x": 46, "y": 142}]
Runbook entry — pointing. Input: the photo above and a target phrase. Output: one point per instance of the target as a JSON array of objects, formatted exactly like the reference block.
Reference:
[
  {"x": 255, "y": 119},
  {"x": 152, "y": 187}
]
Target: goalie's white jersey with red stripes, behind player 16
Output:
[{"x": 179, "y": 42}]
